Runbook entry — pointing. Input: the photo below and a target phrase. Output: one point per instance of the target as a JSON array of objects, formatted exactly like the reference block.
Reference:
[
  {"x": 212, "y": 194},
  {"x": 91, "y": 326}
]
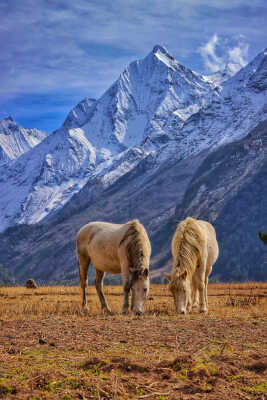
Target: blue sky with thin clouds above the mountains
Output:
[{"x": 56, "y": 52}]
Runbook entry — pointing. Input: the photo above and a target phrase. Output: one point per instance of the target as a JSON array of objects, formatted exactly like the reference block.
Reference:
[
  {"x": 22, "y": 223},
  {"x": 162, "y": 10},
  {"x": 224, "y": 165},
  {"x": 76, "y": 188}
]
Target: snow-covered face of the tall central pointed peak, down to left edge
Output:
[{"x": 151, "y": 99}]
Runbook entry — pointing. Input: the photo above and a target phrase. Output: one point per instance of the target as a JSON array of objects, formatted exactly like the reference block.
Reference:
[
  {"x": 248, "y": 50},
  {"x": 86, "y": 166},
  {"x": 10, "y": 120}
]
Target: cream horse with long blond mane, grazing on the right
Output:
[{"x": 194, "y": 251}]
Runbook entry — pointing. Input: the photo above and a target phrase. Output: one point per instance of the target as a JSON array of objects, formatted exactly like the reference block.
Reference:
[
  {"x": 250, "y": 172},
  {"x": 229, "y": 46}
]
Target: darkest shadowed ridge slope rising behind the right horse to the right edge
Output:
[{"x": 229, "y": 190}]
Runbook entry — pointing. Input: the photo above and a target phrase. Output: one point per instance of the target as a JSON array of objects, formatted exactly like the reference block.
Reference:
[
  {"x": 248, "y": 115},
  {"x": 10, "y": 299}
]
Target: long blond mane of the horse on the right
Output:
[{"x": 187, "y": 247}]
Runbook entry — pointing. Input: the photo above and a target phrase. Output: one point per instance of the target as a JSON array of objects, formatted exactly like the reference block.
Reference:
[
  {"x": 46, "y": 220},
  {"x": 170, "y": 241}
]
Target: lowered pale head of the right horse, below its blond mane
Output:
[{"x": 180, "y": 288}]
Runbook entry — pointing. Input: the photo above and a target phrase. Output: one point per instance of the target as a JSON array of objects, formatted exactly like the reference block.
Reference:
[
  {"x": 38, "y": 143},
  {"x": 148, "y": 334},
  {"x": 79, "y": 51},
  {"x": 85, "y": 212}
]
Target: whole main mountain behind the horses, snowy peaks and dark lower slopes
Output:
[{"x": 93, "y": 167}]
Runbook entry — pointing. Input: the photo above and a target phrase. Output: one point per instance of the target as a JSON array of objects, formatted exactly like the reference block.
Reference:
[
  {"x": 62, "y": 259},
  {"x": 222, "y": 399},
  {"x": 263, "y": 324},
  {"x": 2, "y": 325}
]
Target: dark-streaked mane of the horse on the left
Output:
[{"x": 137, "y": 246}]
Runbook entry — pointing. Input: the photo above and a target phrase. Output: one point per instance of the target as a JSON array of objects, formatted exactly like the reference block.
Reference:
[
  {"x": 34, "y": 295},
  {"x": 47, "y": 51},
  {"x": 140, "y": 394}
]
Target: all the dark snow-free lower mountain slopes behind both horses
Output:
[{"x": 226, "y": 187}]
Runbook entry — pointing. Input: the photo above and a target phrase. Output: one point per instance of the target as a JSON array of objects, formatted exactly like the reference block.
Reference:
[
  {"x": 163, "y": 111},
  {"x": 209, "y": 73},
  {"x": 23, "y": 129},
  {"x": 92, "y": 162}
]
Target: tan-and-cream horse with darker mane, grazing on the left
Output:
[{"x": 116, "y": 249}]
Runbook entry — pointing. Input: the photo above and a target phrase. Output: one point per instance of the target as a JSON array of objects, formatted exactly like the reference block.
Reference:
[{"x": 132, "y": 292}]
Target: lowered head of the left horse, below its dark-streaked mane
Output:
[{"x": 140, "y": 290}]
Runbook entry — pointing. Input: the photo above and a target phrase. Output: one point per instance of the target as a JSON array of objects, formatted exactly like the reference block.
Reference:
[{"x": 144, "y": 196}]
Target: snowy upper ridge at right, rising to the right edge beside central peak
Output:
[{"x": 242, "y": 104}]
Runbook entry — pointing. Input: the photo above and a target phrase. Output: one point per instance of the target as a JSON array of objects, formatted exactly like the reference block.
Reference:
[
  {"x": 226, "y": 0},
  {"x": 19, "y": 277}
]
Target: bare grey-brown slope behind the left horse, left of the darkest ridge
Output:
[{"x": 47, "y": 251}]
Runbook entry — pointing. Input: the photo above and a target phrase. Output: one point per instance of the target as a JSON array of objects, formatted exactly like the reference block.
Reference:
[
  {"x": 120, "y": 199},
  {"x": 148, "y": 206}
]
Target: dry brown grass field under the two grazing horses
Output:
[{"x": 50, "y": 350}]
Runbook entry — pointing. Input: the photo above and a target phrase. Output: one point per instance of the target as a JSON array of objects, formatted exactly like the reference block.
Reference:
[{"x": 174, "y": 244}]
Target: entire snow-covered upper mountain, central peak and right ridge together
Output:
[{"x": 157, "y": 108}]
